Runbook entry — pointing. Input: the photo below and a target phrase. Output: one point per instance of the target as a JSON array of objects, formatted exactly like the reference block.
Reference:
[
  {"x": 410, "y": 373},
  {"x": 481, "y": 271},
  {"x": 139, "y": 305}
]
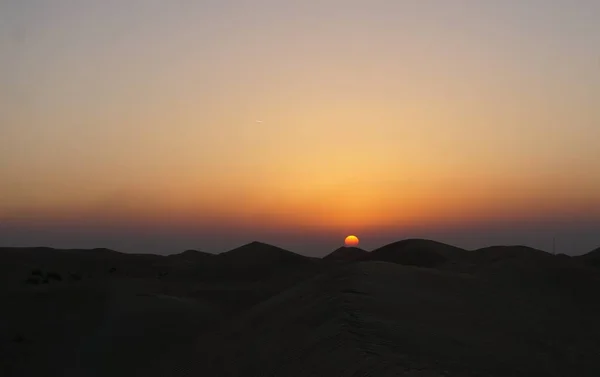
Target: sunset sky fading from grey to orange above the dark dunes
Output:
[{"x": 155, "y": 126}]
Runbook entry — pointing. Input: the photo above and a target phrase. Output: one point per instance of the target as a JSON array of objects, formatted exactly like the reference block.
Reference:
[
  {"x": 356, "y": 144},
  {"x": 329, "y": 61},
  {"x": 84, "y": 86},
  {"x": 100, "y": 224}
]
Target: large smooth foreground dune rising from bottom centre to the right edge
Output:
[{"x": 383, "y": 319}]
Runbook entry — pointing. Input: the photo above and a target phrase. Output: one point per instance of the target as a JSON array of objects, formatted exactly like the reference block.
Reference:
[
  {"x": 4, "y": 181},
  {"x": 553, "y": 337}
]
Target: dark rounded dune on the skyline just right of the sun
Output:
[{"x": 416, "y": 252}]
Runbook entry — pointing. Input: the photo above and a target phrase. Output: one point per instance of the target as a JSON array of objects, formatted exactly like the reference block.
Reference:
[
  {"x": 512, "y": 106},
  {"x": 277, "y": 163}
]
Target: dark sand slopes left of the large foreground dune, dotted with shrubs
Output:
[{"x": 126, "y": 314}]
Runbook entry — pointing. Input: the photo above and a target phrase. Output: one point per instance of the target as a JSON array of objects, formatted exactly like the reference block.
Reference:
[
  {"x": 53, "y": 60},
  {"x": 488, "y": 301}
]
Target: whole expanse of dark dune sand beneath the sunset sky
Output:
[{"x": 496, "y": 313}]
